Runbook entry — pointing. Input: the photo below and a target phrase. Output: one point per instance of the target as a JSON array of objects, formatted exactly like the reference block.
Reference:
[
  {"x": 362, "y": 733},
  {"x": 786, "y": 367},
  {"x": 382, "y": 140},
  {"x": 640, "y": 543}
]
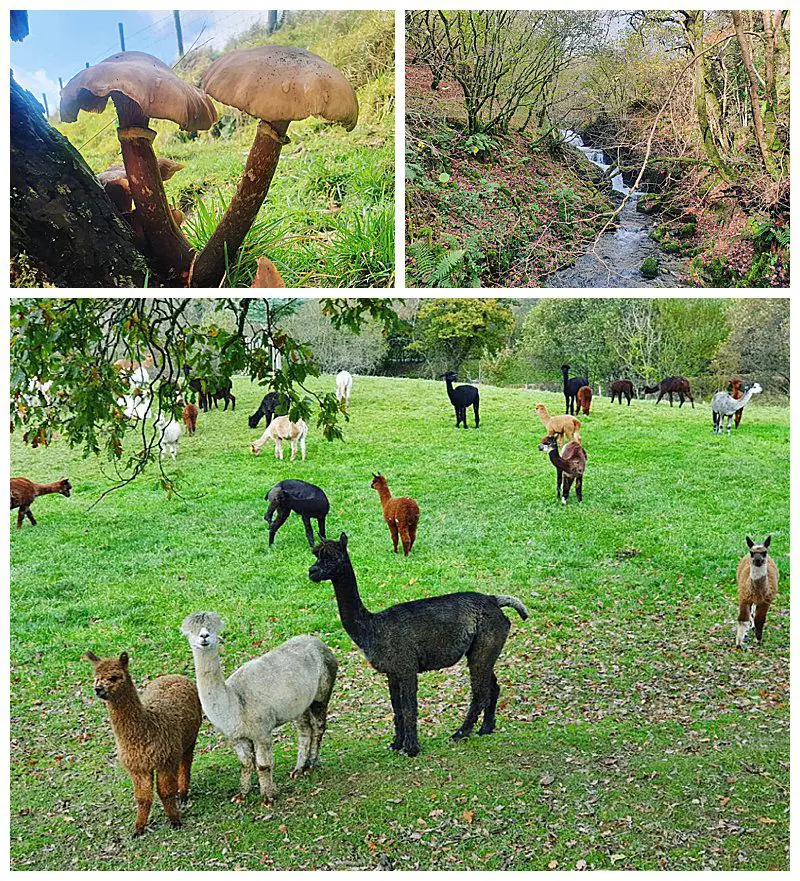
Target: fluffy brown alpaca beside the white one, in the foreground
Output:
[{"x": 155, "y": 733}]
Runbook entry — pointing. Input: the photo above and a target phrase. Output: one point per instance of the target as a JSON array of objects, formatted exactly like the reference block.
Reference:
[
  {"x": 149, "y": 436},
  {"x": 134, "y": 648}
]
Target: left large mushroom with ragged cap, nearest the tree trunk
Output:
[{"x": 143, "y": 88}]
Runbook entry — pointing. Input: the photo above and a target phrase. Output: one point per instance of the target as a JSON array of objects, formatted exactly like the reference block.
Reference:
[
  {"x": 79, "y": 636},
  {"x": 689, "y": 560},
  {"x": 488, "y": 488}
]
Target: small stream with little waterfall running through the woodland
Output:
[{"x": 616, "y": 260}]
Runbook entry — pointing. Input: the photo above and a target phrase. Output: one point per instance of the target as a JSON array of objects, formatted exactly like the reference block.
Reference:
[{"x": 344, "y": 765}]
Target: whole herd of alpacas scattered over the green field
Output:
[{"x": 156, "y": 728}]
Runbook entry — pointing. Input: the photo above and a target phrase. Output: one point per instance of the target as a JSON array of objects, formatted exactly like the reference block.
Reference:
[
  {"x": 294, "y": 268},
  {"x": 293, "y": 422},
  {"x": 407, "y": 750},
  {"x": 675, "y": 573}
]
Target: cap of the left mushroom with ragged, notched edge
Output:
[{"x": 144, "y": 79}]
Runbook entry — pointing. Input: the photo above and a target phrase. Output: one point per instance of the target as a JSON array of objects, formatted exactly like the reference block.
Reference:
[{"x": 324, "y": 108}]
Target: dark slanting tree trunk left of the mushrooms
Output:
[{"x": 64, "y": 229}]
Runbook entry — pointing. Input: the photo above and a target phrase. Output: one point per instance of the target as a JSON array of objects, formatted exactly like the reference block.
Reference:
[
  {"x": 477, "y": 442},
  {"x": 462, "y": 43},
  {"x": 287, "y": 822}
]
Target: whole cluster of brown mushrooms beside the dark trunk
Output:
[{"x": 275, "y": 84}]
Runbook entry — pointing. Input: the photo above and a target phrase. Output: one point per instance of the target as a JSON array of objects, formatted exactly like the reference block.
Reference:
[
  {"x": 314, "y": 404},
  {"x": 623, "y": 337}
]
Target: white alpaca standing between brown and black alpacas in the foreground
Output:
[{"x": 293, "y": 682}]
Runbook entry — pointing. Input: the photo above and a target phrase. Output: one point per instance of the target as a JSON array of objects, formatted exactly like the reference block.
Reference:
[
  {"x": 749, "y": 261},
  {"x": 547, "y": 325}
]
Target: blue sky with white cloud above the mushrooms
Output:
[{"x": 61, "y": 42}]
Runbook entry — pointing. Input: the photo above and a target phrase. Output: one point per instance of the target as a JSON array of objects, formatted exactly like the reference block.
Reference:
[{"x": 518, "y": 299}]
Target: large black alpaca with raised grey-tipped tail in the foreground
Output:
[{"x": 429, "y": 634}]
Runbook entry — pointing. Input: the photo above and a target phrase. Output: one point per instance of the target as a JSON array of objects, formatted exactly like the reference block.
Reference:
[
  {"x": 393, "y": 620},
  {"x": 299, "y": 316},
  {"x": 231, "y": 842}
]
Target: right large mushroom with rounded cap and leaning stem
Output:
[{"x": 275, "y": 84}]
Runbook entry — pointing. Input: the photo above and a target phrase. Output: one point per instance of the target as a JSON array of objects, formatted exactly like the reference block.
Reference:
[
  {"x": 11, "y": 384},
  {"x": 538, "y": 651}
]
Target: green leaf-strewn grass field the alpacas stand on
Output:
[{"x": 630, "y": 732}]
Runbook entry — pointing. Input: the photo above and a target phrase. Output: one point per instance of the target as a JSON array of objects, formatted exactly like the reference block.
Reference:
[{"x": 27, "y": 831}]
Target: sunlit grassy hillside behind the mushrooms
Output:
[{"x": 328, "y": 220}]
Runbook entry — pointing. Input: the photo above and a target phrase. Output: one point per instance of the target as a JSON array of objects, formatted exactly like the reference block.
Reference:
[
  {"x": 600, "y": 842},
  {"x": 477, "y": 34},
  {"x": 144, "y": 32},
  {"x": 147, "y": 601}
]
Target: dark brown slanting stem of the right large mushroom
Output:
[{"x": 245, "y": 204}]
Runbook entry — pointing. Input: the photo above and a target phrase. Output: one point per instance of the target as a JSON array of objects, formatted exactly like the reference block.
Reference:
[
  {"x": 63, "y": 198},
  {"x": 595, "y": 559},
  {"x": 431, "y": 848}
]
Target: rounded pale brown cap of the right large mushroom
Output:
[{"x": 281, "y": 84}]
